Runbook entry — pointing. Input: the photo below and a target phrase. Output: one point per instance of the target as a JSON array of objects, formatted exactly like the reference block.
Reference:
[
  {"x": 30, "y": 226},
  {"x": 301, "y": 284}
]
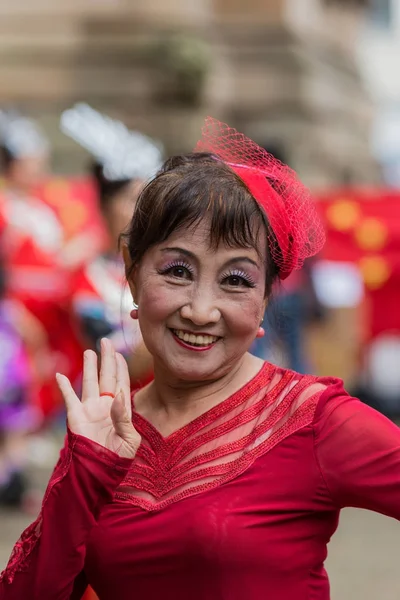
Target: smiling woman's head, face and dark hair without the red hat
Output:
[{"x": 199, "y": 266}]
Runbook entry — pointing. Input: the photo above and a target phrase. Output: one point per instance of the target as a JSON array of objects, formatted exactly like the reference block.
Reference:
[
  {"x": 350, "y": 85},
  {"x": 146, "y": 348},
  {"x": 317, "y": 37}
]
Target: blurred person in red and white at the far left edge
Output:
[{"x": 32, "y": 241}]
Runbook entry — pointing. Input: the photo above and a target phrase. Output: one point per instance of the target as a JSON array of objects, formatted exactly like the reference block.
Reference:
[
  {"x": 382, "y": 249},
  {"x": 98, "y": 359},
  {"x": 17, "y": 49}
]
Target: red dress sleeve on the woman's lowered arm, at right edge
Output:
[{"x": 358, "y": 451}]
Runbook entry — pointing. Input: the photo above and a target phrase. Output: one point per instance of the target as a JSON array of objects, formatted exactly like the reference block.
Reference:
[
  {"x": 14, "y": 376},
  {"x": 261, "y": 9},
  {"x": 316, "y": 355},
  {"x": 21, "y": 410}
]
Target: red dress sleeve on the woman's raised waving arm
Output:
[{"x": 47, "y": 561}]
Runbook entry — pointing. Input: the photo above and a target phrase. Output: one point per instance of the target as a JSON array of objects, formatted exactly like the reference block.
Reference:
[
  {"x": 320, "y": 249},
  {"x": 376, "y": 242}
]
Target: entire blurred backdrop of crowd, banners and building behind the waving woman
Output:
[{"x": 315, "y": 82}]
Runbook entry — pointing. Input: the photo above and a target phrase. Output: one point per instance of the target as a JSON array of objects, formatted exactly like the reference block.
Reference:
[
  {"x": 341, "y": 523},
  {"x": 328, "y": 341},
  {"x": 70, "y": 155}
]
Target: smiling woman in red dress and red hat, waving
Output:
[{"x": 225, "y": 476}]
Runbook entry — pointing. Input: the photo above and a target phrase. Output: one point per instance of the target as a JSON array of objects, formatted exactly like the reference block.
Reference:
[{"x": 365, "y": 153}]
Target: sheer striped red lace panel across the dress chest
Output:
[{"x": 222, "y": 443}]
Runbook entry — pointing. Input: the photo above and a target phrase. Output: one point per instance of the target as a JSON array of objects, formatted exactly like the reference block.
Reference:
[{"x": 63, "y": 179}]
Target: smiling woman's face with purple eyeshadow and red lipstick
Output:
[{"x": 200, "y": 307}]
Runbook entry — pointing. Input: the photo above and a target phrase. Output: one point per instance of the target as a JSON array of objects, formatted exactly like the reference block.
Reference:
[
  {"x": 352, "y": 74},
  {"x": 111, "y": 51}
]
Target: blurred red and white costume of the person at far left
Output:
[{"x": 32, "y": 240}]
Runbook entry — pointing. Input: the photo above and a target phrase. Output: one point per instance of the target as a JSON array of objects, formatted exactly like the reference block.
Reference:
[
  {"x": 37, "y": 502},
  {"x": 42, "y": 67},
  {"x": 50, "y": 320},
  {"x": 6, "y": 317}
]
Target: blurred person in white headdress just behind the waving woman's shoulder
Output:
[{"x": 123, "y": 161}]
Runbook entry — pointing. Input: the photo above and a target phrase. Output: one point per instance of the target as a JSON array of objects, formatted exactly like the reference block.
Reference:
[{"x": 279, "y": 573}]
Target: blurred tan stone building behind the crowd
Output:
[{"x": 283, "y": 71}]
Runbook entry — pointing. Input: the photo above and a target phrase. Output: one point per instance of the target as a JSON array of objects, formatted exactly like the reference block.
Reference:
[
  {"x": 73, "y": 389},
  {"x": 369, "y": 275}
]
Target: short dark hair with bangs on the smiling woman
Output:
[{"x": 188, "y": 189}]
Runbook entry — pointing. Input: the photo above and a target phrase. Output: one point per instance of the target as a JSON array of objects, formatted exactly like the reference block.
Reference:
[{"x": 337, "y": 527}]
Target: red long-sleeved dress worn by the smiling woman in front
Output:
[{"x": 240, "y": 503}]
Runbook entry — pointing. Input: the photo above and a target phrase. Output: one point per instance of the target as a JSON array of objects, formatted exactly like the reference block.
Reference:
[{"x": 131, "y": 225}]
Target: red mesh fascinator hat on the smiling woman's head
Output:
[{"x": 297, "y": 229}]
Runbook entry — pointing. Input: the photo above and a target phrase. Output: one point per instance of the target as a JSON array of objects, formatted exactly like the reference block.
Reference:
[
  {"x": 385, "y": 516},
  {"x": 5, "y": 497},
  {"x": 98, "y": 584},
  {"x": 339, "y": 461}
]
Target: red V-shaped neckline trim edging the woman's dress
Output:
[{"x": 147, "y": 429}]
